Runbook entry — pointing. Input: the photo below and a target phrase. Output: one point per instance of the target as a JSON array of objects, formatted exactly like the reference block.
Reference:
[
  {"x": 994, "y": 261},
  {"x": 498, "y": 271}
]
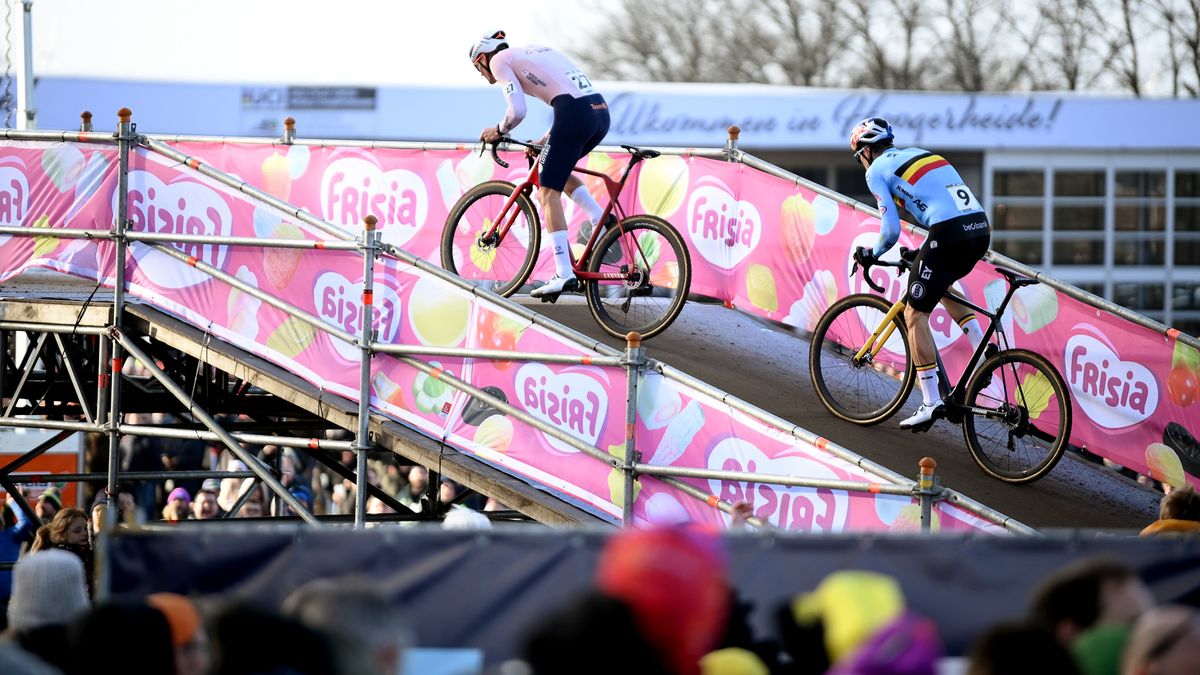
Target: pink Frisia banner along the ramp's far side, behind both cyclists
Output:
[{"x": 776, "y": 250}]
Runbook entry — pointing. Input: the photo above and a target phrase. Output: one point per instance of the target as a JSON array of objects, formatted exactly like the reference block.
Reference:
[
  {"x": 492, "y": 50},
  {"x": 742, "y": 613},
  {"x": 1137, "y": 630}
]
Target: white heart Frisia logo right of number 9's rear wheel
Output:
[{"x": 1112, "y": 392}]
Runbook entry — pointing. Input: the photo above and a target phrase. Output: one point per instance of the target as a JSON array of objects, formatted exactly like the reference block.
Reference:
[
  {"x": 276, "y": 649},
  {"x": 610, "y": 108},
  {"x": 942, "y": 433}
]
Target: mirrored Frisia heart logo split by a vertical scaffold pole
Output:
[{"x": 339, "y": 302}]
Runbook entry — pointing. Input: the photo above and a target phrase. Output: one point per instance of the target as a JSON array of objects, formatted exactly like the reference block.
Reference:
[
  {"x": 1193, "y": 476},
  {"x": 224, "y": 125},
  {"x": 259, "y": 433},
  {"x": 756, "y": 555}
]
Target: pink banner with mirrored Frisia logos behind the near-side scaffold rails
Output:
[{"x": 677, "y": 426}]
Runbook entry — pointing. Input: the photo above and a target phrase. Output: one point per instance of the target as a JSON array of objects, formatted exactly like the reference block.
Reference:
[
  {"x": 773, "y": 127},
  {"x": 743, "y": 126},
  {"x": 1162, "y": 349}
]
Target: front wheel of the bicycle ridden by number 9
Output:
[{"x": 869, "y": 391}]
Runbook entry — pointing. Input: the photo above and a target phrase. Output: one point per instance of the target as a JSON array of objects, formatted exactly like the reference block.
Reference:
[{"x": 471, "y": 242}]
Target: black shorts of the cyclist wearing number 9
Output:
[{"x": 950, "y": 254}]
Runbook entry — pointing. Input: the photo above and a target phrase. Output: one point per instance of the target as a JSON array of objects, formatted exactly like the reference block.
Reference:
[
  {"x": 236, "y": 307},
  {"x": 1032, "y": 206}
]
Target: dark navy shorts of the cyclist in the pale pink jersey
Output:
[{"x": 580, "y": 126}]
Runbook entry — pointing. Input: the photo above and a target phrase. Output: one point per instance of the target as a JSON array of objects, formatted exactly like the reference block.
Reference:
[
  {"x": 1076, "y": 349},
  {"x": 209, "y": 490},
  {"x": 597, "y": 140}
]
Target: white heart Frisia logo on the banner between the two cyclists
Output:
[{"x": 724, "y": 230}]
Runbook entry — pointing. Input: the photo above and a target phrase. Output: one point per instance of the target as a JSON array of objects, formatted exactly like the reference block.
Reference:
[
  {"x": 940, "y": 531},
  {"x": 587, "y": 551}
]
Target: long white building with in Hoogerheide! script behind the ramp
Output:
[{"x": 1101, "y": 193}]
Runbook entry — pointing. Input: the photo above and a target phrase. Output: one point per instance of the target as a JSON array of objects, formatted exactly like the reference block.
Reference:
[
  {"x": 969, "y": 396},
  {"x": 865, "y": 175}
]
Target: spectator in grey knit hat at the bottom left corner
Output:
[{"x": 49, "y": 594}]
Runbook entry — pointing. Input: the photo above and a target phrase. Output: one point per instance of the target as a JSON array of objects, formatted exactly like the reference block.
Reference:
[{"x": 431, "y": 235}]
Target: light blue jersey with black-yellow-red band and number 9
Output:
[{"x": 928, "y": 188}]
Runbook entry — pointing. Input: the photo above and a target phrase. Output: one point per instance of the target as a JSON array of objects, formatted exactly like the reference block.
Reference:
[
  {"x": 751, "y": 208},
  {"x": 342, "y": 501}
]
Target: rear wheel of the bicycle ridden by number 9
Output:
[{"x": 1018, "y": 419}]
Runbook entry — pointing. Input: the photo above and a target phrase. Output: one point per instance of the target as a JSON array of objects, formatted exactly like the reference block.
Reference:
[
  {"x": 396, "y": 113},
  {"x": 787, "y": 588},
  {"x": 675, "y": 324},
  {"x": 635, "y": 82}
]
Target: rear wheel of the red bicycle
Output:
[{"x": 651, "y": 277}]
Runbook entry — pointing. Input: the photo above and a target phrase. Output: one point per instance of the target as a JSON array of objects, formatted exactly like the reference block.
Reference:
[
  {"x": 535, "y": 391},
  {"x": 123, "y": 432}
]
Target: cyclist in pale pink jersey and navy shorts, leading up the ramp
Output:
[{"x": 581, "y": 122}]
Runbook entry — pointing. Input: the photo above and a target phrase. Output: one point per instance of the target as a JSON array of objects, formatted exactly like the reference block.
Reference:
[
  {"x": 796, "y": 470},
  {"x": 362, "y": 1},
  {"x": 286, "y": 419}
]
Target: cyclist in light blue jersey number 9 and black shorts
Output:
[{"x": 935, "y": 196}]
